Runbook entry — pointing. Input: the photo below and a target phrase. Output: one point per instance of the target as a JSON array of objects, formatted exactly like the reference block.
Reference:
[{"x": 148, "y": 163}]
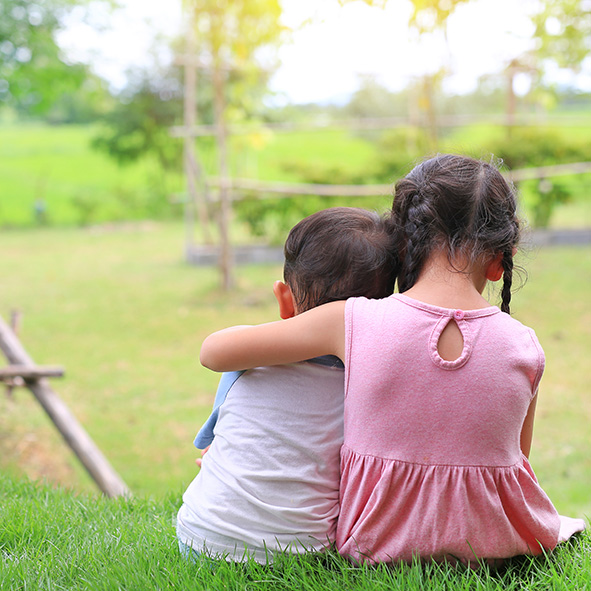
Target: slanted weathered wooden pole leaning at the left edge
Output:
[{"x": 76, "y": 437}]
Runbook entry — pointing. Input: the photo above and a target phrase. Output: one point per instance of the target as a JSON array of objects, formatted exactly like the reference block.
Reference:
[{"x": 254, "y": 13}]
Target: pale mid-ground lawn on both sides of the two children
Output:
[{"x": 125, "y": 316}]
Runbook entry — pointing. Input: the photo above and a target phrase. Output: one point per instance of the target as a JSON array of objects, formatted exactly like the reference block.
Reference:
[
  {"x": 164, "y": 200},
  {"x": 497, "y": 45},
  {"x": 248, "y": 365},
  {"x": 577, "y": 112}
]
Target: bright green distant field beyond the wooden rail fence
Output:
[{"x": 81, "y": 186}]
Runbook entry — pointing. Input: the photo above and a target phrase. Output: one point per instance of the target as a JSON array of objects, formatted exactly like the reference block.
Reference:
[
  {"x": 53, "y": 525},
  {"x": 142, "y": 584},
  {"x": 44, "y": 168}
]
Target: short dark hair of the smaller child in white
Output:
[{"x": 339, "y": 253}]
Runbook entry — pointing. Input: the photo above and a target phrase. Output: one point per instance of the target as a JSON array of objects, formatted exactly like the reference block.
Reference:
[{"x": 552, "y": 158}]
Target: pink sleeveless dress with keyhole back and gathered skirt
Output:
[{"x": 431, "y": 464}]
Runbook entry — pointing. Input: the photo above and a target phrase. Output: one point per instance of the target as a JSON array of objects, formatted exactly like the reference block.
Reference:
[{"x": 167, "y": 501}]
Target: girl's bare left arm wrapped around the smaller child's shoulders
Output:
[{"x": 320, "y": 331}]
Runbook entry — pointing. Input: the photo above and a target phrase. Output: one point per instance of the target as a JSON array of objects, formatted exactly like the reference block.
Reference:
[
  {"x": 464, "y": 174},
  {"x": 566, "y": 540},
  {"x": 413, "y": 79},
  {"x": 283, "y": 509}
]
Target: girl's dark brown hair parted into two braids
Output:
[{"x": 460, "y": 204}]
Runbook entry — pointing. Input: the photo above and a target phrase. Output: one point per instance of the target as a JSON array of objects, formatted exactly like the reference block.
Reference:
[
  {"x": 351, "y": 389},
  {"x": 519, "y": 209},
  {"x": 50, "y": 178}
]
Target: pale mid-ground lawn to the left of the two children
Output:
[{"x": 126, "y": 317}]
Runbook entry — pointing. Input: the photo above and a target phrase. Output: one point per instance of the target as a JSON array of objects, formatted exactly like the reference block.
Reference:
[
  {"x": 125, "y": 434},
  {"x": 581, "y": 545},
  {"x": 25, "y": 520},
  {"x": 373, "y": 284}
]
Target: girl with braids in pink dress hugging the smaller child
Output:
[{"x": 440, "y": 386}]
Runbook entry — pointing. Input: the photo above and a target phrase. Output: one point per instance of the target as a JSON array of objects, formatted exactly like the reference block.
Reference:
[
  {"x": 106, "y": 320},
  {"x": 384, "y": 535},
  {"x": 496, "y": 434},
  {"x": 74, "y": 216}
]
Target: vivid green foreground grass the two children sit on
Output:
[{"x": 53, "y": 539}]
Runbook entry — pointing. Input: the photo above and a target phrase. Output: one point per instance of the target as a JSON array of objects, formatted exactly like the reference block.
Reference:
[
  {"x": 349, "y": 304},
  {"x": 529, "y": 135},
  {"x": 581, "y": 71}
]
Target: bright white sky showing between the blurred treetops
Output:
[{"x": 324, "y": 61}]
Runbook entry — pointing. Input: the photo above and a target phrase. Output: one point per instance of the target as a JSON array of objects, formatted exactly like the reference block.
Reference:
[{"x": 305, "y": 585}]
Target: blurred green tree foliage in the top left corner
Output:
[{"x": 33, "y": 73}]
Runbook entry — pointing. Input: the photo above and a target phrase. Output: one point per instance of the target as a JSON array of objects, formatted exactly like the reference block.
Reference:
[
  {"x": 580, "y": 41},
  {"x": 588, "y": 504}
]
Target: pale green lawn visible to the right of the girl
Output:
[{"x": 555, "y": 302}]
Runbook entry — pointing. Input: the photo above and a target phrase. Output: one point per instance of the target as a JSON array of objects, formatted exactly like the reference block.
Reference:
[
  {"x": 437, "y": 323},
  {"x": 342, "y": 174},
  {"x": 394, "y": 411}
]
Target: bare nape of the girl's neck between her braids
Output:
[{"x": 440, "y": 284}]
